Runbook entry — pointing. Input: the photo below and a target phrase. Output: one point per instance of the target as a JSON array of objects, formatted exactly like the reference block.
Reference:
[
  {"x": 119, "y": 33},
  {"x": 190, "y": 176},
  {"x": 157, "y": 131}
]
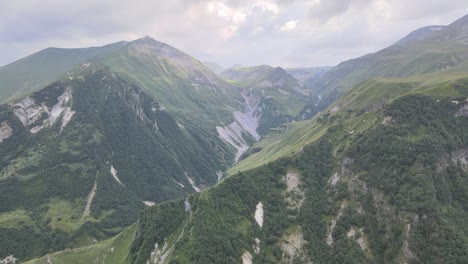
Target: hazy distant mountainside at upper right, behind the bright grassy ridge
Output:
[{"x": 426, "y": 50}]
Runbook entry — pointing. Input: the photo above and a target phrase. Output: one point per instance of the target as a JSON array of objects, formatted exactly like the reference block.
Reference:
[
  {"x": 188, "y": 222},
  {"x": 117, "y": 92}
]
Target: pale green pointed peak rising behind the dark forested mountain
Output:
[{"x": 182, "y": 84}]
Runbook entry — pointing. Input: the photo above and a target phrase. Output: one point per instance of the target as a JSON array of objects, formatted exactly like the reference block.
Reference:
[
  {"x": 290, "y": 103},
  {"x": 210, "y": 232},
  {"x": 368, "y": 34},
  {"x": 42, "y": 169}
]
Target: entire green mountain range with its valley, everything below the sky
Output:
[{"x": 136, "y": 152}]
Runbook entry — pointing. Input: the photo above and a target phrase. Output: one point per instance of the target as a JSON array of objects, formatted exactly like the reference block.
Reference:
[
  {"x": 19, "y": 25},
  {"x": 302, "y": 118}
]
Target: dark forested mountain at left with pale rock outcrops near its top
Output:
[{"x": 80, "y": 158}]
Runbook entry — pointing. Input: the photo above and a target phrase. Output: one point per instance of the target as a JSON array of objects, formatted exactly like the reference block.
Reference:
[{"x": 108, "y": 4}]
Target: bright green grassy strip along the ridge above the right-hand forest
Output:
[{"x": 355, "y": 111}]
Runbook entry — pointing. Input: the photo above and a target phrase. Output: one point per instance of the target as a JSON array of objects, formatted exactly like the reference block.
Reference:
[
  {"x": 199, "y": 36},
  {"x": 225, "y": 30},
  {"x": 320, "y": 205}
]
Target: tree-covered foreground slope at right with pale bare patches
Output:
[{"x": 392, "y": 193}]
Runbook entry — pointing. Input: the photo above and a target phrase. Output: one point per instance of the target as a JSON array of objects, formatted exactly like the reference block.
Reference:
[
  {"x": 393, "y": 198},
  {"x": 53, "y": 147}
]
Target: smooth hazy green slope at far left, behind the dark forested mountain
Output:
[{"x": 42, "y": 68}]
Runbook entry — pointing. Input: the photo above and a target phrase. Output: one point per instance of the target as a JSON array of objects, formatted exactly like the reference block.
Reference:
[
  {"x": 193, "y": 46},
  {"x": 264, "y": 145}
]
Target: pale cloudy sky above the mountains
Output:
[{"x": 249, "y": 32}]
